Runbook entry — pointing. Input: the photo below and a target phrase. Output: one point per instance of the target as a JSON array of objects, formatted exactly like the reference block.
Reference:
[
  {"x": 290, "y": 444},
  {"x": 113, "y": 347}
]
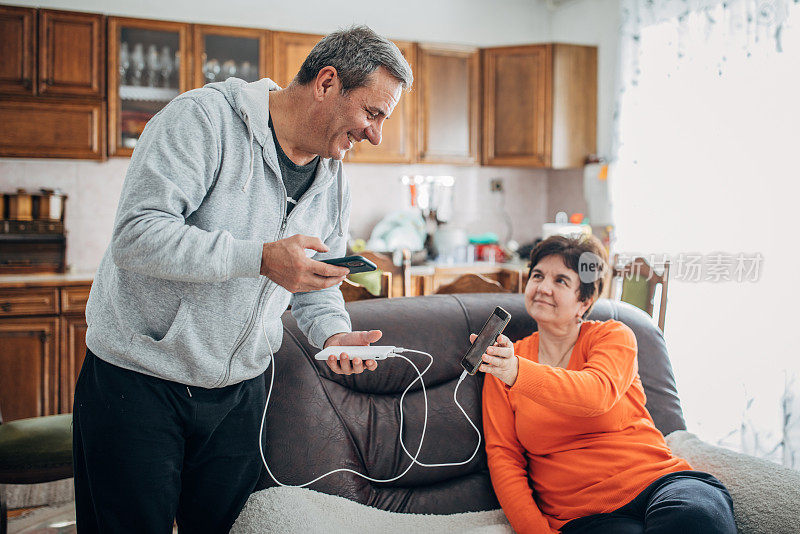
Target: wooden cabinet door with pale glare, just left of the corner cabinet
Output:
[{"x": 447, "y": 87}]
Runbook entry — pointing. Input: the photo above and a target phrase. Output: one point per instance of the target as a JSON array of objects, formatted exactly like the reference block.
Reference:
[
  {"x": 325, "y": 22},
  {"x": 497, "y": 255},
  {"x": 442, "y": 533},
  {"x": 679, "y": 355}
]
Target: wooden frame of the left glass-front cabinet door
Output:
[{"x": 115, "y": 24}]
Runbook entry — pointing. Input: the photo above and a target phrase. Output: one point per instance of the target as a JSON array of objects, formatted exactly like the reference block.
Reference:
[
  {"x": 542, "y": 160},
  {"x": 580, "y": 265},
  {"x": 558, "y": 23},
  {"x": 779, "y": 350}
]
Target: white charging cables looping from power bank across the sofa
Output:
[{"x": 414, "y": 460}]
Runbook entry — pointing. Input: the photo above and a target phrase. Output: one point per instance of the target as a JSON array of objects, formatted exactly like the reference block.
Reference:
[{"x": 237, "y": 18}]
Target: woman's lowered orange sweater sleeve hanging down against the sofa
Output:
[{"x": 507, "y": 462}]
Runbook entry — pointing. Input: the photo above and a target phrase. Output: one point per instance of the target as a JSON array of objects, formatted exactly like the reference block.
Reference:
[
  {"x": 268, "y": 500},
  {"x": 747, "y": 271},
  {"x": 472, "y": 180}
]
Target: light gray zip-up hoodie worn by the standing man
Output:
[{"x": 178, "y": 294}]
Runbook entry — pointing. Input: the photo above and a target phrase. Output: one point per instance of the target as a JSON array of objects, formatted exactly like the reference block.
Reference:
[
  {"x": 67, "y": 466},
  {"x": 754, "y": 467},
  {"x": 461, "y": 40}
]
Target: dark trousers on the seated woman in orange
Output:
[{"x": 686, "y": 502}]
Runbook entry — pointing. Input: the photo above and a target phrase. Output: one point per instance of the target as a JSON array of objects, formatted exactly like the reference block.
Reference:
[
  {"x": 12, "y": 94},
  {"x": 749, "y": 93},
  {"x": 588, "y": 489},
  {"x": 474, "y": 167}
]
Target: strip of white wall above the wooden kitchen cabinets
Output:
[{"x": 475, "y": 22}]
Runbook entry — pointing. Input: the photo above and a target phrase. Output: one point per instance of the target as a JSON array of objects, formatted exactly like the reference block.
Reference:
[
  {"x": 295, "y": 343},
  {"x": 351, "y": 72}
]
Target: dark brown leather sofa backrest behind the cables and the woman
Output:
[{"x": 319, "y": 421}]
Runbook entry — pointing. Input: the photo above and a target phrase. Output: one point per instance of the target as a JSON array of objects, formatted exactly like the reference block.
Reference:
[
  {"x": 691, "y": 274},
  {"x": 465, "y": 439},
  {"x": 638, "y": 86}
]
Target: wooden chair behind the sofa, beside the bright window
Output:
[{"x": 637, "y": 283}]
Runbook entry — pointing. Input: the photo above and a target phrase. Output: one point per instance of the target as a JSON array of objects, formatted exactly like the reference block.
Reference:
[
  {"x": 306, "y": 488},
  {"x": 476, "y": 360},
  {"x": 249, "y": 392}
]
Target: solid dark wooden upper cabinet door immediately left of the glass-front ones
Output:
[{"x": 71, "y": 54}]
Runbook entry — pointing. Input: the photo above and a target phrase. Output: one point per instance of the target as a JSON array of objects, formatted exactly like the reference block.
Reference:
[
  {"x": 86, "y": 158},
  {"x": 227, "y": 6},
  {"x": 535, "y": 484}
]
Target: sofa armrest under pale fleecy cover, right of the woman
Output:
[{"x": 766, "y": 496}]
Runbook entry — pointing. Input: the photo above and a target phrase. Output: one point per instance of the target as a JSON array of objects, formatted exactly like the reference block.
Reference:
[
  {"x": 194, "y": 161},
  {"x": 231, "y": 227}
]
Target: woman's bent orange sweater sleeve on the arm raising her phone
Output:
[{"x": 609, "y": 371}]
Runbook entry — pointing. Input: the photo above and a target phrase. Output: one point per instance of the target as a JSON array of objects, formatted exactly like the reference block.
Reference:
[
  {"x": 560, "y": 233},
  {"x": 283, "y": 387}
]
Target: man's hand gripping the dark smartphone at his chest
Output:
[{"x": 285, "y": 263}]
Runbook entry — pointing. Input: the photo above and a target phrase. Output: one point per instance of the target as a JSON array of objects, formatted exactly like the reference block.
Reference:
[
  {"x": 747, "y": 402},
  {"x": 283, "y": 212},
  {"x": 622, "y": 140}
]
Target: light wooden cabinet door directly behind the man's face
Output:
[{"x": 398, "y": 144}]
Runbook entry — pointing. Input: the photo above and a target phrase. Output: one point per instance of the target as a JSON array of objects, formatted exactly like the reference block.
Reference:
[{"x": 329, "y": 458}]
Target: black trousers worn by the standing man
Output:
[{"x": 148, "y": 451}]
